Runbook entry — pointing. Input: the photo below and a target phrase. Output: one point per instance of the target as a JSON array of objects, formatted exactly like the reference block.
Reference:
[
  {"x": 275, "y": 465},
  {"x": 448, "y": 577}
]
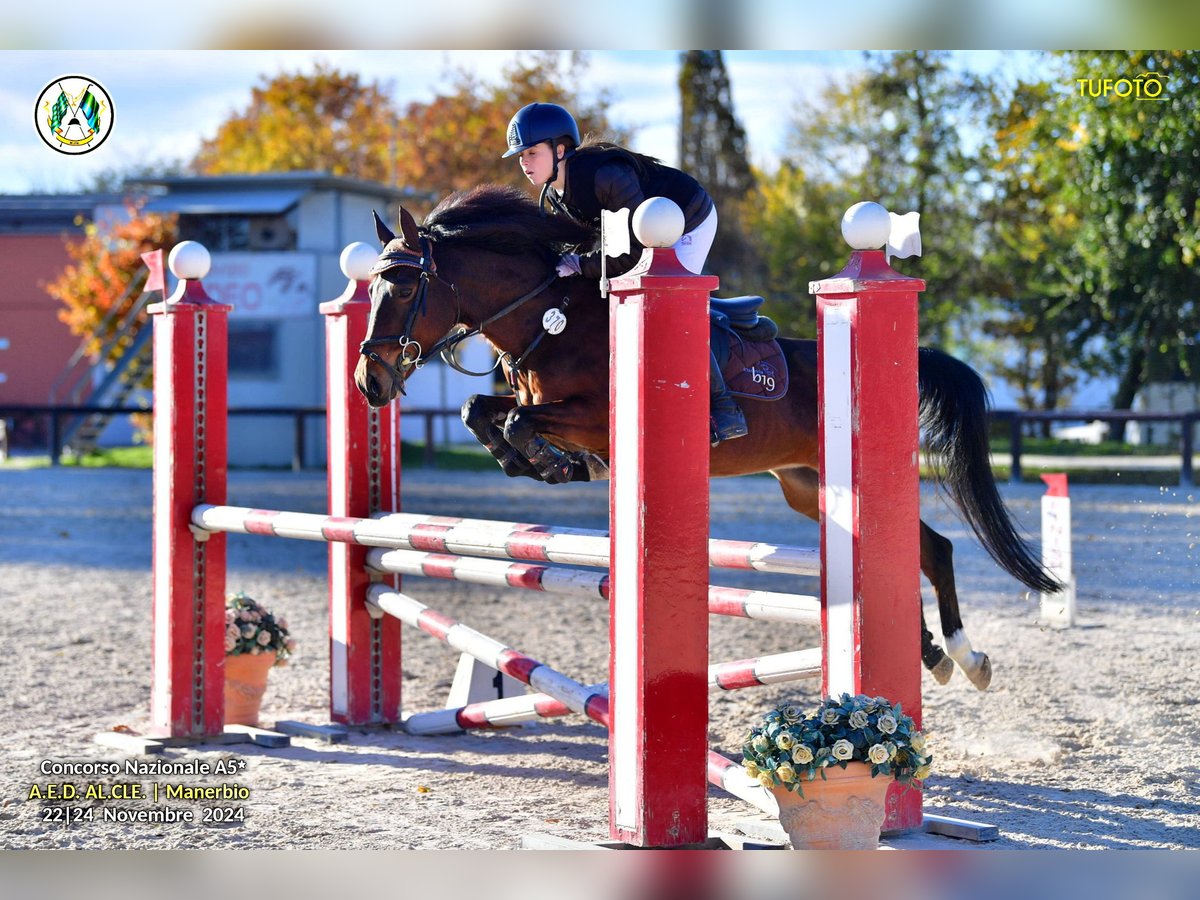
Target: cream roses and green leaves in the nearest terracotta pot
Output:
[{"x": 790, "y": 748}]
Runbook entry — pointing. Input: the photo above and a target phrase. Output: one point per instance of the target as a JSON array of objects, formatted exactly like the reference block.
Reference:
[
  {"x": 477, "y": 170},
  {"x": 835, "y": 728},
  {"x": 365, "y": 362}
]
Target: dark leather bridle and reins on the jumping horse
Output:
[{"x": 445, "y": 349}]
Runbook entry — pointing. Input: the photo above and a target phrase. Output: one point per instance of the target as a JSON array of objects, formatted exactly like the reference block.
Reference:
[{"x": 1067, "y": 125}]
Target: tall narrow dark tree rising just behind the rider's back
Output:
[{"x": 713, "y": 151}]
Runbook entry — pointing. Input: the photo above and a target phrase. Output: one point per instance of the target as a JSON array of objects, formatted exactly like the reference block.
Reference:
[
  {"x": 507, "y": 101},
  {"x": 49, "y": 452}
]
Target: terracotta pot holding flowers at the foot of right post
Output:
[{"x": 845, "y": 812}]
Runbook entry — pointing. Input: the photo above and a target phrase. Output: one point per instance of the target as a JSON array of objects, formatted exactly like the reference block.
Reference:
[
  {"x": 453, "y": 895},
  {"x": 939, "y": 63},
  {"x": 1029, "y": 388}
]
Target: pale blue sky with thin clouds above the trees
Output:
[{"x": 169, "y": 101}]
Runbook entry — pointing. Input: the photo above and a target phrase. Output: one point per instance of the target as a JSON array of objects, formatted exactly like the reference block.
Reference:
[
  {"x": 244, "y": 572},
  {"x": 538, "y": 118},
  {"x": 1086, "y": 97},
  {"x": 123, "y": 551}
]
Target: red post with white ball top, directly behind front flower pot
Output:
[{"x": 871, "y": 541}]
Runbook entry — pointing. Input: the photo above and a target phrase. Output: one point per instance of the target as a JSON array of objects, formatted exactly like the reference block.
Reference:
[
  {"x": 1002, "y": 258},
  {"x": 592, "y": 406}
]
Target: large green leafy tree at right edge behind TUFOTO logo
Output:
[{"x": 1133, "y": 182}]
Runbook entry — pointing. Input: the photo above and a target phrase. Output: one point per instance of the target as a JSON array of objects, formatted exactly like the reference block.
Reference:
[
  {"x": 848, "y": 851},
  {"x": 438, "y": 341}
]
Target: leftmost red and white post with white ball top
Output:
[{"x": 190, "y": 446}]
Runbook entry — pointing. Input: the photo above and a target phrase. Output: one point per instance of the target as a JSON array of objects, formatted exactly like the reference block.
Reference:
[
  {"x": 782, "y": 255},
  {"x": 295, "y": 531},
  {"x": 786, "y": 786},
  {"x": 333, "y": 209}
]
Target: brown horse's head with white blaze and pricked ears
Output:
[{"x": 412, "y": 307}]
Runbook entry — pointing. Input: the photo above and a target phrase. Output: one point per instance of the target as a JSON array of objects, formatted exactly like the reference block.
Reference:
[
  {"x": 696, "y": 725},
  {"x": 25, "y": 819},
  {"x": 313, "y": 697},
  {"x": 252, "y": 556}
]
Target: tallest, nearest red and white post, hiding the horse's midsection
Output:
[{"x": 658, "y": 742}]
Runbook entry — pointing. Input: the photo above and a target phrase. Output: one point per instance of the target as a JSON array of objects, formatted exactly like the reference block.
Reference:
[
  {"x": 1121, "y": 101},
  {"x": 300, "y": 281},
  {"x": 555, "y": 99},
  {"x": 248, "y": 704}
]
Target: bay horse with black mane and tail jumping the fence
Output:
[{"x": 484, "y": 263}]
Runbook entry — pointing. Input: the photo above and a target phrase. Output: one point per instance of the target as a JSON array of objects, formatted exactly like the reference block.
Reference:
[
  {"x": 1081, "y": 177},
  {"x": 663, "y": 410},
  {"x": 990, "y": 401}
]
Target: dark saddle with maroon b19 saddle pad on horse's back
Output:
[{"x": 746, "y": 349}]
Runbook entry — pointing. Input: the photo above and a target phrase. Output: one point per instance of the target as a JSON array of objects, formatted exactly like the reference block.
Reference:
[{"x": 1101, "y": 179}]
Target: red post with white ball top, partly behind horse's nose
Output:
[{"x": 364, "y": 478}]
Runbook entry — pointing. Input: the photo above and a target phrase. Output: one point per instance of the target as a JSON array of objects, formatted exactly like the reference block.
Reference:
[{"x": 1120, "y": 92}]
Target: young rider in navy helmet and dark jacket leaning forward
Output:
[{"x": 581, "y": 179}]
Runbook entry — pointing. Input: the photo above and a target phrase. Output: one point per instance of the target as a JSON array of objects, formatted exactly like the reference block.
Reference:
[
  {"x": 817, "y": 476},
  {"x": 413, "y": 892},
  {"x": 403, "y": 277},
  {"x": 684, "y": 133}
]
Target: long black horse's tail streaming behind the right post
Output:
[{"x": 955, "y": 419}]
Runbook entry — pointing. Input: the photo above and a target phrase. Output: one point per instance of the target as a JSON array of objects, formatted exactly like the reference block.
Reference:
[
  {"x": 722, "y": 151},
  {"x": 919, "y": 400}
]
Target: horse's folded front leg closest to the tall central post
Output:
[{"x": 575, "y": 422}]
